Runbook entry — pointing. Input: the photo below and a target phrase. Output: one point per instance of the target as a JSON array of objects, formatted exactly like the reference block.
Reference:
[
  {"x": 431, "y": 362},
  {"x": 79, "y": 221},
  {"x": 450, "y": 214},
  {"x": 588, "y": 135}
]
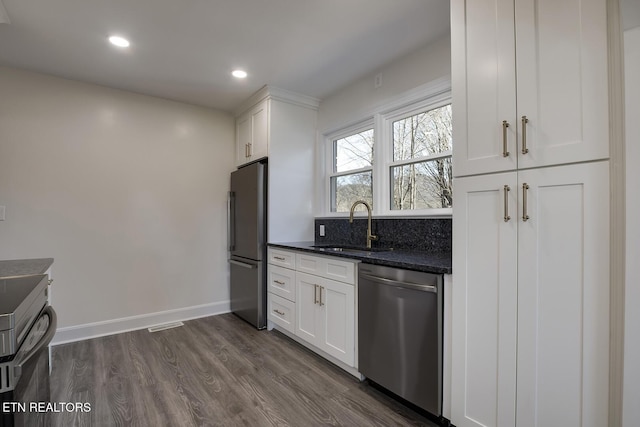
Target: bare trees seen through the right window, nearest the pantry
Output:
[{"x": 424, "y": 141}]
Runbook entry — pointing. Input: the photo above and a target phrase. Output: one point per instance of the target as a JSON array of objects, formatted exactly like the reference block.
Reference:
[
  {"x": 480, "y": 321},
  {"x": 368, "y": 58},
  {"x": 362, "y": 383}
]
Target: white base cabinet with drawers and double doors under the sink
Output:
[{"x": 313, "y": 297}]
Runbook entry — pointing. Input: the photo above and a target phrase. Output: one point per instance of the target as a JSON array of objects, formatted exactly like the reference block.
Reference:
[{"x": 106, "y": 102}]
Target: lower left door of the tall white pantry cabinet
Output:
[{"x": 484, "y": 301}]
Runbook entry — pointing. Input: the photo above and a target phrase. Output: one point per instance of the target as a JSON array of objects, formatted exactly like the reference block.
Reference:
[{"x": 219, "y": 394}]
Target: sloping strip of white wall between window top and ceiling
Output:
[{"x": 418, "y": 68}]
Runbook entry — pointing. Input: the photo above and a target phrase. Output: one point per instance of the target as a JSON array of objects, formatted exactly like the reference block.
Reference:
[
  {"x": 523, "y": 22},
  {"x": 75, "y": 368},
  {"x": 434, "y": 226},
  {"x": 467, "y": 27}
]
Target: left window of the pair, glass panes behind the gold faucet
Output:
[{"x": 352, "y": 175}]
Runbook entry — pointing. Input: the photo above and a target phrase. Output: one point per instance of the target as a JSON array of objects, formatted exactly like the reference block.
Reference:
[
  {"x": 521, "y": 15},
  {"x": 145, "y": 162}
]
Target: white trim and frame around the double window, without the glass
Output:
[{"x": 431, "y": 95}]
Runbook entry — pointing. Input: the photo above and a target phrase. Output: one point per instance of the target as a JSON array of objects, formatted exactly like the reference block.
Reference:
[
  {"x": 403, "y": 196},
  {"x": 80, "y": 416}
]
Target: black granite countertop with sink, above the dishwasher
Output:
[{"x": 429, "y": 262}]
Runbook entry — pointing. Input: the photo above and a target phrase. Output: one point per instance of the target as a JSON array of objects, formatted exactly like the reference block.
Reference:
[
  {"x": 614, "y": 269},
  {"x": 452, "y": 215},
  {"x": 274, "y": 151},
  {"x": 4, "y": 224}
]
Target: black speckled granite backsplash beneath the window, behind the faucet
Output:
[{"x": 423, "y": 234}]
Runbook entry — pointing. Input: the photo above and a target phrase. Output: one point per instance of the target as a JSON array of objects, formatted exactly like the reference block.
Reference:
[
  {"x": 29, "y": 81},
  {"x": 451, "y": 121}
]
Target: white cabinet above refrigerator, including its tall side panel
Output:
[{"x": 281, "y": 125}]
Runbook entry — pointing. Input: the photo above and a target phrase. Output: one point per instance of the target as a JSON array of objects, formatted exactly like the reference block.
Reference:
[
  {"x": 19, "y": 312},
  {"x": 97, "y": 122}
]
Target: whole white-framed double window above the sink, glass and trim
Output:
[{"x": 410, "y": 170}]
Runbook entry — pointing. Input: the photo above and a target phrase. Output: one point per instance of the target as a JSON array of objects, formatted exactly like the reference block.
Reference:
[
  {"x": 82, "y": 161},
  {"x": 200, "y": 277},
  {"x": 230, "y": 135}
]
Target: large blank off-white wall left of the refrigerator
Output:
[{"x": 126, "y": 192}]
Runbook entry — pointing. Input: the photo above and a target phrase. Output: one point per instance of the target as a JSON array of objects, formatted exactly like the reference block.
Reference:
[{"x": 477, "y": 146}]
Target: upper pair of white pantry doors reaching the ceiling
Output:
[{"x": 530, "y": 83}]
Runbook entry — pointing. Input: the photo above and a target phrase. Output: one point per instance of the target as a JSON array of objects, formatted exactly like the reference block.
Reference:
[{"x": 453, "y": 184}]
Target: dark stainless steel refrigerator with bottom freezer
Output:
[{"x": 247, "y": 243}]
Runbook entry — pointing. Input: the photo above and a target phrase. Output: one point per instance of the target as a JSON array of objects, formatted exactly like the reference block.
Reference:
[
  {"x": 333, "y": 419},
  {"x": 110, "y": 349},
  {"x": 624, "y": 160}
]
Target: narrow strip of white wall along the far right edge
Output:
[{"x": 631, "y": 409}]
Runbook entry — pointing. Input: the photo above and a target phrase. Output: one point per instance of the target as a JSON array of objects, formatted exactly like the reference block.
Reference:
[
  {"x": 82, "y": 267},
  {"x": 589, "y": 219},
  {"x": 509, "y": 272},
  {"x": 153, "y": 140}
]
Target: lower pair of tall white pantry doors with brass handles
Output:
[{"x": 530, "y": 308}]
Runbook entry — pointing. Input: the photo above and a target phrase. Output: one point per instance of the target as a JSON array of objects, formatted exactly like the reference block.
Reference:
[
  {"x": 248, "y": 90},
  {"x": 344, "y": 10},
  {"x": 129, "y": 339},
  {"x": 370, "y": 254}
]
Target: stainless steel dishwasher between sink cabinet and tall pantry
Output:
[{"x": 400, "y": 333}]
